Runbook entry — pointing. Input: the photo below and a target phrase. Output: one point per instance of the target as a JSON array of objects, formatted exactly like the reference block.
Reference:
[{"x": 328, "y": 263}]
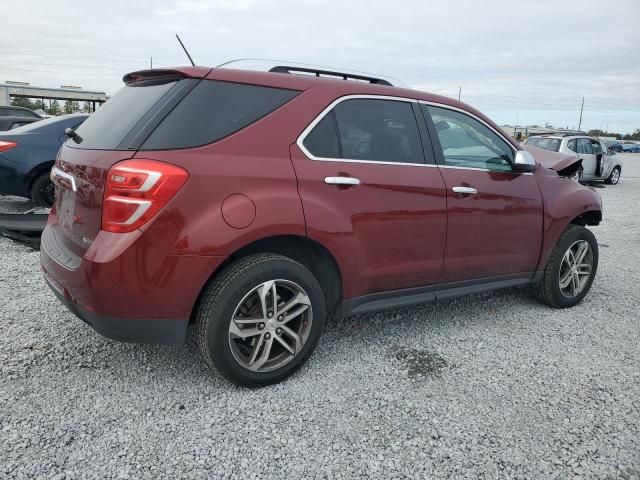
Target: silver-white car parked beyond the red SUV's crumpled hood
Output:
[{"x": 597, "y": 161}]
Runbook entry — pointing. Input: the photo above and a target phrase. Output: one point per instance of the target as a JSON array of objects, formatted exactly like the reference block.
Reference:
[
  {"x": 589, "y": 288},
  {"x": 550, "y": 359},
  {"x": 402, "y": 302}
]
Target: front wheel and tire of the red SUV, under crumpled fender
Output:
[{"x": 571, "y": 269}]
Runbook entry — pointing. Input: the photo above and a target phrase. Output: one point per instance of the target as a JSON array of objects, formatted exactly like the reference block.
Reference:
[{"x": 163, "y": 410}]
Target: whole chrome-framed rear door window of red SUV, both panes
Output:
[{"x": 368, "y": 130}]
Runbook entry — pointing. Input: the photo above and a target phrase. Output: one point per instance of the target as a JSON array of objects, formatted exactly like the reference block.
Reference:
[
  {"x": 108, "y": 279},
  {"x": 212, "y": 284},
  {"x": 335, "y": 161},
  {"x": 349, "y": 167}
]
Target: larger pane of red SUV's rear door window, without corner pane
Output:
[{"x": 378, "y": 130}]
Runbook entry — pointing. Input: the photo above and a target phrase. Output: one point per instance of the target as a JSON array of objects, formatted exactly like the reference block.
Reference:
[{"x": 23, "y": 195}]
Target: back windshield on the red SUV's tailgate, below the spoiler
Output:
[{"x": 107, "y": 127}]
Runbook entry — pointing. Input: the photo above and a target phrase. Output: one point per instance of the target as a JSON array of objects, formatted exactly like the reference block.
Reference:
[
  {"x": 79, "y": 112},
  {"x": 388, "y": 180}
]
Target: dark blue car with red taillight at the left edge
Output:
[{"x": 27, "y": 154}]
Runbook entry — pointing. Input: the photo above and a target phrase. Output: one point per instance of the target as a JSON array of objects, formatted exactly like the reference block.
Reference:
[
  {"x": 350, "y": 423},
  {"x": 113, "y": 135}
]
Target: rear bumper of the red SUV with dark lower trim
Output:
[{"x": 125, "y": 288}]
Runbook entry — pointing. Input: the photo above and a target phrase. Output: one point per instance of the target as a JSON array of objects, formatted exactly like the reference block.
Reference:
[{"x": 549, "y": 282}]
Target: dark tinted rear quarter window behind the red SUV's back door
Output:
[{"x": 213, "y": 110}]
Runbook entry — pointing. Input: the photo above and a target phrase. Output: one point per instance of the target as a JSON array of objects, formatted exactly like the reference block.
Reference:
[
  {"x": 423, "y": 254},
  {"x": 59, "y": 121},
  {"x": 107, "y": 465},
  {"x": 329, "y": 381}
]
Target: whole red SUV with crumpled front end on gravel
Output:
[{"x": 257, "y": 205}]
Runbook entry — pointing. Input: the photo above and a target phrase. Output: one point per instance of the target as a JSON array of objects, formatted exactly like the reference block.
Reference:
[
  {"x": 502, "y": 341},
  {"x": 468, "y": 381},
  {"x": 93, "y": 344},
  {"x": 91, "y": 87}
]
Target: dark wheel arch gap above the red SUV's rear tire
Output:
[{"x": 313, "y": 255}]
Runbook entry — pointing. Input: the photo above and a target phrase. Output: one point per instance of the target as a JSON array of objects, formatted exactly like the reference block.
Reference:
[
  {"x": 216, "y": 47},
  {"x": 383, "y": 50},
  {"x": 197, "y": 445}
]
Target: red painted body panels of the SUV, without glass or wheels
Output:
[{"x": 401, "y": 227}]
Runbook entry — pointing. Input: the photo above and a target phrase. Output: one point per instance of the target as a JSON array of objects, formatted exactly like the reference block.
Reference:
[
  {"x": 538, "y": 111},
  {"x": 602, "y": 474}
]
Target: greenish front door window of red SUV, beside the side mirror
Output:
[{"x": 466, "y": 142}]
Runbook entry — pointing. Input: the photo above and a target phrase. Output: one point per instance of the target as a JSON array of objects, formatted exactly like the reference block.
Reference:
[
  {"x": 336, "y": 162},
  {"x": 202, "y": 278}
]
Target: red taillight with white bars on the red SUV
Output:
[{"x": 135, "y": 190}]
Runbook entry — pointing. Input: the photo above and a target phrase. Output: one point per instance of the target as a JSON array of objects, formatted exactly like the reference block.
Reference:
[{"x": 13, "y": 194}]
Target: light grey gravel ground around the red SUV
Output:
[{"x": 487, "y": 386}]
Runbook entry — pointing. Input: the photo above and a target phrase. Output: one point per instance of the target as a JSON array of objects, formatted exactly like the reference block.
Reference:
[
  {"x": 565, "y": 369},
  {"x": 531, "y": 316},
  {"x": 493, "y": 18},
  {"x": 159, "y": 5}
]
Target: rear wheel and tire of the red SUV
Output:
[{"x": 260, "y": 319}]
